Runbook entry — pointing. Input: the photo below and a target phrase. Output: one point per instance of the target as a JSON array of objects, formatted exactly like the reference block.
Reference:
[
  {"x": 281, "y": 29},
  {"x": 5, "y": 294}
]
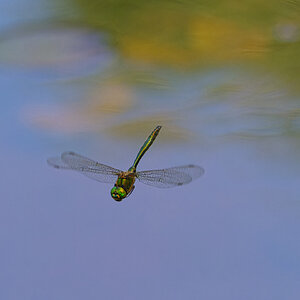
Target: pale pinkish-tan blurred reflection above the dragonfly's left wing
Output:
[{"x": 102, "y": 108}]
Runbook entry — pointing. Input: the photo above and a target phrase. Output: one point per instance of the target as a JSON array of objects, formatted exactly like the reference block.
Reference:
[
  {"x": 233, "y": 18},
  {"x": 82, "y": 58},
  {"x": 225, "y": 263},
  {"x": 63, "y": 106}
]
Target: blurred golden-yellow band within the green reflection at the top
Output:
[{"x": 201, "y": 40}]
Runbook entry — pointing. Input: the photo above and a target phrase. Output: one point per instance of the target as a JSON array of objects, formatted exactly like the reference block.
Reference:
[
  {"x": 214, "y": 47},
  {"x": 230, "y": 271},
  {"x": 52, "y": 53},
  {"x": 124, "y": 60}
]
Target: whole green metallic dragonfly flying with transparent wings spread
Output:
[{"x": 124, "y": 180}]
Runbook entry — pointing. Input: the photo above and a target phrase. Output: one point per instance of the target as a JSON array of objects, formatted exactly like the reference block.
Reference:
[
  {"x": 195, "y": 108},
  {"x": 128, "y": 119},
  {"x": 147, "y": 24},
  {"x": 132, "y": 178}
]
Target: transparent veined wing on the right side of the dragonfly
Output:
[{"x": 166, "y": 178}]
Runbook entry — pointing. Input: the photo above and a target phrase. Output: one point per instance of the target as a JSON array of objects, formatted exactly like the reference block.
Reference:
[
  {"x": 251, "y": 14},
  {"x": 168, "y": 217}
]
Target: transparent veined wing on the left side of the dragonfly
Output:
[{"x": 86, "y": 166}]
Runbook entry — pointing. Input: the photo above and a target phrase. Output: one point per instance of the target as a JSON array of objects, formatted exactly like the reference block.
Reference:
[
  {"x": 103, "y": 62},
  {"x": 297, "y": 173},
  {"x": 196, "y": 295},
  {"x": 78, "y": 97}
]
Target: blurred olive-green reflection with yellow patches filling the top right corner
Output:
[{"x": 197, "y": 34}]
